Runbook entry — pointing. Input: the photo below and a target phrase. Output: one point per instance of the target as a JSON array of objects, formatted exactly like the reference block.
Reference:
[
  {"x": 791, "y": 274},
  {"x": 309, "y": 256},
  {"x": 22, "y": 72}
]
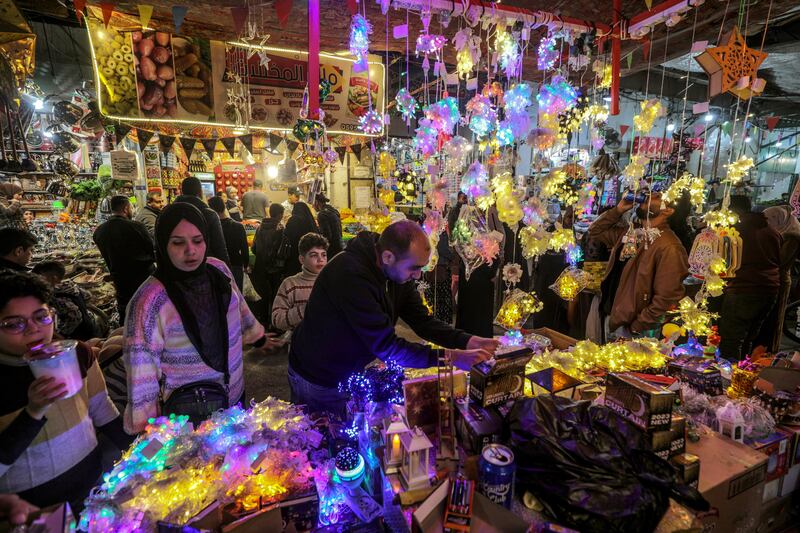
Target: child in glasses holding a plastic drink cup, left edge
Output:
[{"x": 48, "y": 454}]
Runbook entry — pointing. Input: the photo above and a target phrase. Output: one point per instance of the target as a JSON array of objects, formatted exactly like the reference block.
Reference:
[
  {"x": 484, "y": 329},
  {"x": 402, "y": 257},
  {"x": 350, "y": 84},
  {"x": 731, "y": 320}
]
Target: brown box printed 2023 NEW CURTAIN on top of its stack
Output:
[{"x": 645, "y": 405}]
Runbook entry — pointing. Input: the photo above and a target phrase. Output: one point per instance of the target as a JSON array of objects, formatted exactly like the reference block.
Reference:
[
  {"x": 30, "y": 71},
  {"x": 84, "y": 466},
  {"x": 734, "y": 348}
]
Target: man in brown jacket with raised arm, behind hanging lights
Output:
[{"x": 639, "y": 290}]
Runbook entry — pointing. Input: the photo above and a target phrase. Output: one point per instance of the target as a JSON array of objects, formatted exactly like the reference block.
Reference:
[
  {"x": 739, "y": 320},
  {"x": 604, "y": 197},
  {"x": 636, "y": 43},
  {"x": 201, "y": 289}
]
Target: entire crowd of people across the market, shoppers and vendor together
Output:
[{"x": 181, "y": 272}]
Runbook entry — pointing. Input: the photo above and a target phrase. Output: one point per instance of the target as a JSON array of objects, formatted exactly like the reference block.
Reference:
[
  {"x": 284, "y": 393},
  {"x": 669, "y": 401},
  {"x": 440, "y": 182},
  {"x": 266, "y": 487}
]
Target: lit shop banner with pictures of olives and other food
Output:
[{"x": 148, "y": 75}]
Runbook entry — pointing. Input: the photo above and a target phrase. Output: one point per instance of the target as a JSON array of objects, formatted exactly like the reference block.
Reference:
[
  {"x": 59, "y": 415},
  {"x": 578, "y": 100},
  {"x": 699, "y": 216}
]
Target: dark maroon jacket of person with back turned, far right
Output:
[{"x": 761, "y": 257}]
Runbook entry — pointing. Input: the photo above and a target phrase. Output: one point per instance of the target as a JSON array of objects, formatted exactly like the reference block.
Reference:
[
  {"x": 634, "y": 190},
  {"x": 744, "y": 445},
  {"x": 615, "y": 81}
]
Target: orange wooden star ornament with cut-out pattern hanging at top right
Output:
[{"x": 733, "y": 67}]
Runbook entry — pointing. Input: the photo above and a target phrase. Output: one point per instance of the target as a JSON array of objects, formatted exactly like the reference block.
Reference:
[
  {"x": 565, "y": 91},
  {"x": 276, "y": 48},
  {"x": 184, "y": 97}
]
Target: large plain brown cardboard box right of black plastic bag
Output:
[{"x": 732, "y": 480}]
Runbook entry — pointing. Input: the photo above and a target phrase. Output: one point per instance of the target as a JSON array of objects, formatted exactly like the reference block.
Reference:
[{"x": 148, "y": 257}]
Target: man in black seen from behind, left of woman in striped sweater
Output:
[{"x": 127, "y": 250}]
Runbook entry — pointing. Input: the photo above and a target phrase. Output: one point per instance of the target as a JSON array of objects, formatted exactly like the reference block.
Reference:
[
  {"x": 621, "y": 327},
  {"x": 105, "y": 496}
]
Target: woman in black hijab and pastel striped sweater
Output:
[{"x": 187, "y": 321}]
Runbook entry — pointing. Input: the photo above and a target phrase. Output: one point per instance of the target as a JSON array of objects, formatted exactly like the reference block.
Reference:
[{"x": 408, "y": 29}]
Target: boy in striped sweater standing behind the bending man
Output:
[{"x": 290, "y": 302}]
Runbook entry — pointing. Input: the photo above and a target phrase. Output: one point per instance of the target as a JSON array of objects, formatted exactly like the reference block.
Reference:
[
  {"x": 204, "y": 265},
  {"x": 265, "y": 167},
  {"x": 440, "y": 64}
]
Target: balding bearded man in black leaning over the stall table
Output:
[{"x": 351, "y": 314}]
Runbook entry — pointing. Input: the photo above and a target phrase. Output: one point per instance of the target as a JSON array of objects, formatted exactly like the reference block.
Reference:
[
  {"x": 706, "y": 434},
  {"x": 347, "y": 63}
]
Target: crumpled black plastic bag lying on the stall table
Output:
[{"x": 590, "y": 468}]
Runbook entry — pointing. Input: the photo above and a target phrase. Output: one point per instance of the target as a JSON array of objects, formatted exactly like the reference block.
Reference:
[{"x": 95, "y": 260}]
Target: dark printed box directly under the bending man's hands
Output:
[{"x": 502, "y": 381}]
